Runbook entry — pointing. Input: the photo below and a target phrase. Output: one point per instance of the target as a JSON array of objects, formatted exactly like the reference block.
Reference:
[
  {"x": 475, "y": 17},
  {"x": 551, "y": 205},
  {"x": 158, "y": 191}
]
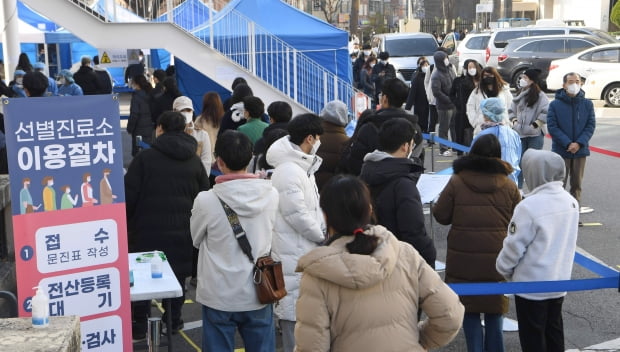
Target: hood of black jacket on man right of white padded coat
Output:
[{"x": 380, "y": 167}]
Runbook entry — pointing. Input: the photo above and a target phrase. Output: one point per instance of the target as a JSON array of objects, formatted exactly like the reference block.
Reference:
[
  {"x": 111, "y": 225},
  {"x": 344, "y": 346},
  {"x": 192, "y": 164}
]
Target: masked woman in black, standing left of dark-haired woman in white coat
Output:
[{"x": 460, "y": 92}]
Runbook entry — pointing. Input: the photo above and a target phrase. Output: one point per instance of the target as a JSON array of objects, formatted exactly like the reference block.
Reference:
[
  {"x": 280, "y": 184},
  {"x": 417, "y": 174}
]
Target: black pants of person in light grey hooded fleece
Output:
[{"x": 540, "y": 324}]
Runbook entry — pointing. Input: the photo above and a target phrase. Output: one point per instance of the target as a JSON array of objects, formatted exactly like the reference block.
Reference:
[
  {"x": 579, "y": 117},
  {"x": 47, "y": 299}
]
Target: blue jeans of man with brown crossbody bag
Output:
[{"x": 256, "y": 328}]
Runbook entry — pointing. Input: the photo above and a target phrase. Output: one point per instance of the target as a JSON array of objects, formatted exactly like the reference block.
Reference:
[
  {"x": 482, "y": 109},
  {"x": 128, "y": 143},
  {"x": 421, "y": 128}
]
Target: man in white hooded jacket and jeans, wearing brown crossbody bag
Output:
[{"x": 225, "y": 281}]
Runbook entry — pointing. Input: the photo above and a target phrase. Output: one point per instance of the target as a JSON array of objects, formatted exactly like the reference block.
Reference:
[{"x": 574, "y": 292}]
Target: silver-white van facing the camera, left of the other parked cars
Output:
[{"x": 405, "y": 49}]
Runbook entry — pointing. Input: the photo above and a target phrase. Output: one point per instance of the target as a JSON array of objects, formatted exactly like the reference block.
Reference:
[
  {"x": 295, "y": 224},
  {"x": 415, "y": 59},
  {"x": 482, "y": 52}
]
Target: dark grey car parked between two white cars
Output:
[{"x": 525, "y": 53}]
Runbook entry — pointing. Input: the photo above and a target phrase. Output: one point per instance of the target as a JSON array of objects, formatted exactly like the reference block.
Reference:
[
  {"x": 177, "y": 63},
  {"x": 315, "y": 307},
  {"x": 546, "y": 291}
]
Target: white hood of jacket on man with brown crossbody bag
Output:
[{"x": 247, "y": 197}]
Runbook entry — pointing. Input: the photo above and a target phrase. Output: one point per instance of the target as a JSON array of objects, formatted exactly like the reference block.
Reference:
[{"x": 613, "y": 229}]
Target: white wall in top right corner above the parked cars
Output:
[{"x": 595, "y": 13}]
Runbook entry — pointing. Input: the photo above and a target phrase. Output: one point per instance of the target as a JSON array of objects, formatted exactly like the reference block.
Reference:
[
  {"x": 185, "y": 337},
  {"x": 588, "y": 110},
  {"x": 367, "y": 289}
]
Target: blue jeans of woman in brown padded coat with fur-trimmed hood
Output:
[{"x": 492, "y": 340}]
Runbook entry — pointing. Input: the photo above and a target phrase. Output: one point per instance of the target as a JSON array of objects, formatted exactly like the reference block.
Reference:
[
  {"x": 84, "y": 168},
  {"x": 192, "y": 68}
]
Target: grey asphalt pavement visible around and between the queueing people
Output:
[{"x": 591, "y": 318}]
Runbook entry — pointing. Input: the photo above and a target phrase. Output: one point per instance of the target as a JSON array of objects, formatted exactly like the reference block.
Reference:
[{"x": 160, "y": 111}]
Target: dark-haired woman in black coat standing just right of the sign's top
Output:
[{"x": 140, "y": 122}]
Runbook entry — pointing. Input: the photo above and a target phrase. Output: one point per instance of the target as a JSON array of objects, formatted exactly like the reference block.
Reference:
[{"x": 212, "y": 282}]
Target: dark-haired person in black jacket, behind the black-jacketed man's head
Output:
[{"x": 392, "y": 97}]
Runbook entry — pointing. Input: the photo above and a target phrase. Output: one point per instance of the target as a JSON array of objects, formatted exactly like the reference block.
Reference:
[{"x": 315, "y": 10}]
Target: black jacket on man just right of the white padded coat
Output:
[{"x": 397, "y": 204}]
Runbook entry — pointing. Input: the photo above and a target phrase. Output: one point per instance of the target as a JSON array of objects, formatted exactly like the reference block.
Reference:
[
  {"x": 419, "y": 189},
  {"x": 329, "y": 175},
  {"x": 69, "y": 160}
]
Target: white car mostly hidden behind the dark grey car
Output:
[{"x": 500, "y": 37}]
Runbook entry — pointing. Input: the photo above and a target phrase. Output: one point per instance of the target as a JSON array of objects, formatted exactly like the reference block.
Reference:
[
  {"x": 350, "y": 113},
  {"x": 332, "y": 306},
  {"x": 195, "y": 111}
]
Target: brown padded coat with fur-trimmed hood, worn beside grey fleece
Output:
[{"x": 478, "y": 202}]
